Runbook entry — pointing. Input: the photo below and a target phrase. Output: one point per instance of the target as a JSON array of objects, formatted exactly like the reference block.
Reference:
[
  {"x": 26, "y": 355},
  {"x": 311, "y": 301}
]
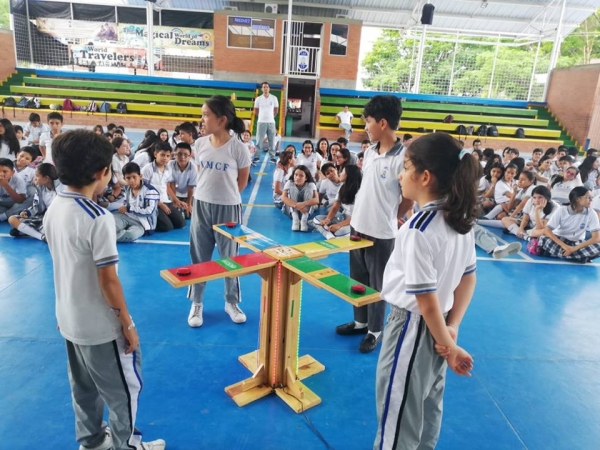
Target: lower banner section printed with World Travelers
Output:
[{"x": 108, "y": 55}]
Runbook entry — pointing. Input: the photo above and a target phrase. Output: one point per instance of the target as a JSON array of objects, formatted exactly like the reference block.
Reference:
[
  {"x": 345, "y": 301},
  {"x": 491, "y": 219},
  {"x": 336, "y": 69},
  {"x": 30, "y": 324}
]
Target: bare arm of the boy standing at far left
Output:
[{"x": 113, "y": 294}]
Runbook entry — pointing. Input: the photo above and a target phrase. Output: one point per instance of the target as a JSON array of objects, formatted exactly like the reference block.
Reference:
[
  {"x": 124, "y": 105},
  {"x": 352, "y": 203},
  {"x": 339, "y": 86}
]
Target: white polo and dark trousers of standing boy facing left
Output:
[{"x": 375, "y": 218}]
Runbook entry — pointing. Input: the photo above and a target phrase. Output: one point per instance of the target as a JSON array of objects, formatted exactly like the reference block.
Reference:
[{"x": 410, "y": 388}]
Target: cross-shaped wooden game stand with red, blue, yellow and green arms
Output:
[{"x": 275, "y": 365}]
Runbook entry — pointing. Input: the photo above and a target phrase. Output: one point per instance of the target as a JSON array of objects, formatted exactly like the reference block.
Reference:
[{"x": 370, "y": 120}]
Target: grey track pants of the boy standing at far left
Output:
[{"x": 104, "y": 374}]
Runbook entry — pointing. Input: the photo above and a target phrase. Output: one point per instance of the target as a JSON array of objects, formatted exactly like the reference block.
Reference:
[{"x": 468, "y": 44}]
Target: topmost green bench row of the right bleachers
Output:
[{"x": 430, "y": 106}]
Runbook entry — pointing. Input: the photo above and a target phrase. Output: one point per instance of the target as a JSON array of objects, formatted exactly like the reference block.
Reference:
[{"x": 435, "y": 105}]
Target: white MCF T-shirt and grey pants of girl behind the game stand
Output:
[{"x": 217, "y": 200}]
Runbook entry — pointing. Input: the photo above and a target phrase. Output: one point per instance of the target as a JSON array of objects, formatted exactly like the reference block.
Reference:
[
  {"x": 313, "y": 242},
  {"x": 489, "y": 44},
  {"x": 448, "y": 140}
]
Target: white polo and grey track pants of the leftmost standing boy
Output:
[{"x": 93, "y": 333}]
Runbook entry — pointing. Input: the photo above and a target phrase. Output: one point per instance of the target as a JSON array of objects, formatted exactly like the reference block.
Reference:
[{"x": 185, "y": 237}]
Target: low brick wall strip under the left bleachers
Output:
[{"x": 81, "y": 118}]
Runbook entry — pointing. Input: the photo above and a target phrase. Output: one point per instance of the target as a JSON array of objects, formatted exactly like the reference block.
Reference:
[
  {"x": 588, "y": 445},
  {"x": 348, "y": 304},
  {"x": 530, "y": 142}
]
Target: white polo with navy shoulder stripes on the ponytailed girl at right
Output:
[{"x": 429, "y": 256}]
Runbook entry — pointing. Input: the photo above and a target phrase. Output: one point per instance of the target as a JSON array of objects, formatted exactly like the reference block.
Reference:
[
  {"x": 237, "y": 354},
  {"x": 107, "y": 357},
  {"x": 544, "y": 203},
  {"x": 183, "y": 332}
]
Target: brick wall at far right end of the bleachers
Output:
[{"x": 574, "y": 97}]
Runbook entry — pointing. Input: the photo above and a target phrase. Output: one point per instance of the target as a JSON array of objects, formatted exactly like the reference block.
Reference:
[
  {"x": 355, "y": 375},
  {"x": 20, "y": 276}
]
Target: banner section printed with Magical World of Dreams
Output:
[{"x": 167, "y": 37}]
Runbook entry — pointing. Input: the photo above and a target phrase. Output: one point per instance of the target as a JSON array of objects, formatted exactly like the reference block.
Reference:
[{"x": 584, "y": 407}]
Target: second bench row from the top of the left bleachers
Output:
[{"x": 119, "y": 96}]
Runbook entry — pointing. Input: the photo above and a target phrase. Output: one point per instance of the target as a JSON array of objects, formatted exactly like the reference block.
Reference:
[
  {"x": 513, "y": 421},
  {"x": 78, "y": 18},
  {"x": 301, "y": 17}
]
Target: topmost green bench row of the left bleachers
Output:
[{"x": 116, "y": 86}]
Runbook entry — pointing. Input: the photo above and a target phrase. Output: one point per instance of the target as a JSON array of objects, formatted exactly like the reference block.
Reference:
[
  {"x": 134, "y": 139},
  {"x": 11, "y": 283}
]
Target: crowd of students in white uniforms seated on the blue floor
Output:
[{"x": 551, "y": 200}]
